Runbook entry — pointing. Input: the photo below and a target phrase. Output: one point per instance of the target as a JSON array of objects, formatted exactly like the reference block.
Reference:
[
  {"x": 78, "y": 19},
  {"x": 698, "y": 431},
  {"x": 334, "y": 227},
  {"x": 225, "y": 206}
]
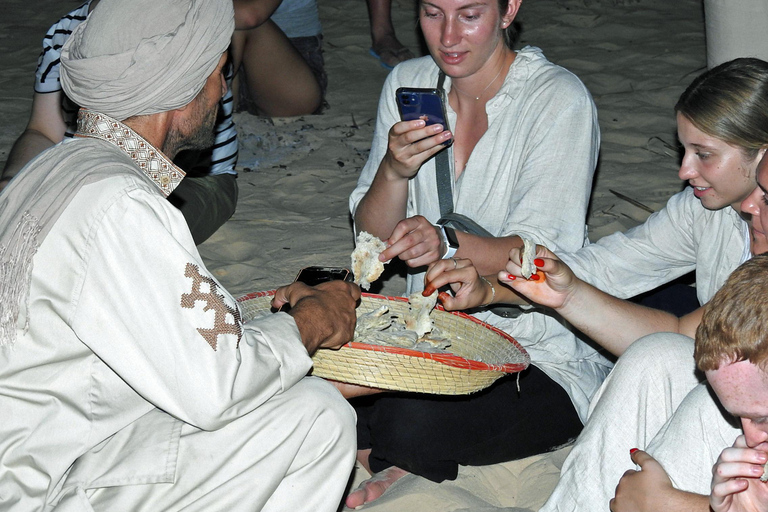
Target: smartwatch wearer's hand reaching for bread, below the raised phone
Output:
[{"x": 415, "y": 241}]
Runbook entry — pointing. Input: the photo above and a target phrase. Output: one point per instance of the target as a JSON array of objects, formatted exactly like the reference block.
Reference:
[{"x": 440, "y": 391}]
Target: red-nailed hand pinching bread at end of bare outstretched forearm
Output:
[{"x": 553, "y": 284}]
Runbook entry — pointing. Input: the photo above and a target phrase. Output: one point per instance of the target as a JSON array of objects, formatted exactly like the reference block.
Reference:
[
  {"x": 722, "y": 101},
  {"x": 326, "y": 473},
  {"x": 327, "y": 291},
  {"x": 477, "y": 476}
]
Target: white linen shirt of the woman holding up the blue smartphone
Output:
[{"x": 530, "y": 174}]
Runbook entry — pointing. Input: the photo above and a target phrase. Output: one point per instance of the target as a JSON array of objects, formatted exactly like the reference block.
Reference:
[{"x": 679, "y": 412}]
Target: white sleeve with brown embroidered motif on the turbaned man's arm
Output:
[{"x": 153, "y": 313}]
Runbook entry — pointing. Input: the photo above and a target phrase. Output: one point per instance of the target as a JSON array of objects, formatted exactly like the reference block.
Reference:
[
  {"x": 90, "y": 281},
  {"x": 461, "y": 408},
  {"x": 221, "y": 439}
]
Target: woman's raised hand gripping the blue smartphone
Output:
[{"x": 411, "y": 143}]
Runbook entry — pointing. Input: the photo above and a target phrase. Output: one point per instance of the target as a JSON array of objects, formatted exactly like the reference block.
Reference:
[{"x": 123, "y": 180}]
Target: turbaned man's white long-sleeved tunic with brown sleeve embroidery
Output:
[{"x": 125, "y": 319}]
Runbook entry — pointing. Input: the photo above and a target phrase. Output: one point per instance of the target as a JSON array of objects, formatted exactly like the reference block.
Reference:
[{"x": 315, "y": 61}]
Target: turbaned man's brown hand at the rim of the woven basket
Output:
[{"x": 324, "y": 314}]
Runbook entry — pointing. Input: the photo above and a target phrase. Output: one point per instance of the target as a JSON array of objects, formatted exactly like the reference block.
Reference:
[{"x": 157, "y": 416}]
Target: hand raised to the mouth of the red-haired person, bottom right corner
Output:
[{"x": 735, "y": 480}]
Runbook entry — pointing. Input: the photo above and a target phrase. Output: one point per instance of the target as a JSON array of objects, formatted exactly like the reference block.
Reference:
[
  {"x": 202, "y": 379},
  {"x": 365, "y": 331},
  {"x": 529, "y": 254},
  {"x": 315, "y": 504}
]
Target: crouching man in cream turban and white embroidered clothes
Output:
[{"x": 128, "y": 379}]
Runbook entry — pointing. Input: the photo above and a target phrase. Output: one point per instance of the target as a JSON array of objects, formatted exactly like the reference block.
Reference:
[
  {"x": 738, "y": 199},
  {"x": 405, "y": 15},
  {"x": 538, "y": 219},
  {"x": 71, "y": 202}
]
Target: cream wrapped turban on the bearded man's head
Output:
[{"x": 140, "y": 57}]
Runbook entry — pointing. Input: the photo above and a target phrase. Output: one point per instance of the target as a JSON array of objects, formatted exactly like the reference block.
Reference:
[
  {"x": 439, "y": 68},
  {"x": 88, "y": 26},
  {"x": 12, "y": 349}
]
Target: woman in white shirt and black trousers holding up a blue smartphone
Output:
[{"x": 525, "y": 142}]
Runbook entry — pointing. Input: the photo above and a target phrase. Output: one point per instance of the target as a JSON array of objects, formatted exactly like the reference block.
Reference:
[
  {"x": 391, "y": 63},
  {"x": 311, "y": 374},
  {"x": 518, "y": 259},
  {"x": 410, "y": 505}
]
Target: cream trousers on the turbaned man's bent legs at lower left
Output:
[{"x": 294, "y": 453}]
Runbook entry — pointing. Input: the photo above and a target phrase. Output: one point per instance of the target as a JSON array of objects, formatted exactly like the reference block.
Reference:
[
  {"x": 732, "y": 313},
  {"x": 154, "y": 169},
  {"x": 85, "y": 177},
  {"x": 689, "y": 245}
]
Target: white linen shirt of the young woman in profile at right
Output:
[{"x": 682, "y": 237}]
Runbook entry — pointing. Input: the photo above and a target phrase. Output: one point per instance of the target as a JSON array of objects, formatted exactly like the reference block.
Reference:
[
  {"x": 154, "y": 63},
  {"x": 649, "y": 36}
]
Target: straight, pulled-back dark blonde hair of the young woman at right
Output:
[{"x": 730, "y": 102}]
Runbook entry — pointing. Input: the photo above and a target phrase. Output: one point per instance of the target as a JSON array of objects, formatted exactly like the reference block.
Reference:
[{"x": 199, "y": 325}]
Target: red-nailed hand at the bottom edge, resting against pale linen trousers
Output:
[{"x": 650, "y": 490}]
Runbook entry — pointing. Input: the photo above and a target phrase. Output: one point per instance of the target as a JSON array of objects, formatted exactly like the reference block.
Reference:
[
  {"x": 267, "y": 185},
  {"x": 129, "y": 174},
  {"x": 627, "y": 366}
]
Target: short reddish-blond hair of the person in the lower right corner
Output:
[{"x": 734, "y": 326}]
